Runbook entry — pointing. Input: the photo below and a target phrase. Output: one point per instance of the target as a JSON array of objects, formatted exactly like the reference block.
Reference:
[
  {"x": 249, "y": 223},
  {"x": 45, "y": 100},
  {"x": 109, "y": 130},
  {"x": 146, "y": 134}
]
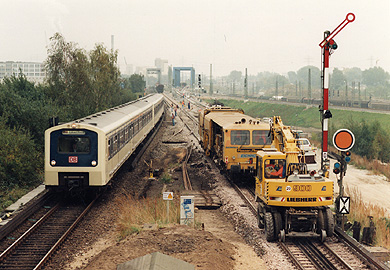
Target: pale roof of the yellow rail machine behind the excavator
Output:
[{"x": 235, "y": 120}]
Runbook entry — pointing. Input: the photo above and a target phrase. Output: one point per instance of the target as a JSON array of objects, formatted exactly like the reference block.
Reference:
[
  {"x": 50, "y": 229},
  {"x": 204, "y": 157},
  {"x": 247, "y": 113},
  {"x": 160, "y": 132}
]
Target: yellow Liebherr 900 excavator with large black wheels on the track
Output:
[{"x": 291, "y": 200}]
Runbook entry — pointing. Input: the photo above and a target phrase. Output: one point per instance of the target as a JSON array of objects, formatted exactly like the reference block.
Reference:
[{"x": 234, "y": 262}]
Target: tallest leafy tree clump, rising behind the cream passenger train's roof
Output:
[{"x": 83, "y": 82}]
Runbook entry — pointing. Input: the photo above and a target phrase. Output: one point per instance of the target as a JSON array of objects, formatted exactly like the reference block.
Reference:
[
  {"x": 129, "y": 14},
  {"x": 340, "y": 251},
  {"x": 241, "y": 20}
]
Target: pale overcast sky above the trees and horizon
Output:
[{"x": 261, "y": 35}]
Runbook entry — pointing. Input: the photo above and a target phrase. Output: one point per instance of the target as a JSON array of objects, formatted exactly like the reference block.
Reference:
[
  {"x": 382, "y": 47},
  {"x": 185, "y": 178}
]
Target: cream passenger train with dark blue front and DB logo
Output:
[{"x": 86, "y": 154}]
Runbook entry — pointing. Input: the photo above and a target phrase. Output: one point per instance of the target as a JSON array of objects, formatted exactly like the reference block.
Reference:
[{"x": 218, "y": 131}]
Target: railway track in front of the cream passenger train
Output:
[{"x": 35, "y": 247}]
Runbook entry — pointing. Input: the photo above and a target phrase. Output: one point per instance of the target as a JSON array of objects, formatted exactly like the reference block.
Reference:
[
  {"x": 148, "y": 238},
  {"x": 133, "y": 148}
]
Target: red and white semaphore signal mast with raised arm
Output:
[{"x": 328, "y": 45}]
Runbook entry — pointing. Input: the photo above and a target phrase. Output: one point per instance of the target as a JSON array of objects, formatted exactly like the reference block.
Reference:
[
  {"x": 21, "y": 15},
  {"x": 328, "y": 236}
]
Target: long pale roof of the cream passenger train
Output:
[{"x": 111, "y": 119}]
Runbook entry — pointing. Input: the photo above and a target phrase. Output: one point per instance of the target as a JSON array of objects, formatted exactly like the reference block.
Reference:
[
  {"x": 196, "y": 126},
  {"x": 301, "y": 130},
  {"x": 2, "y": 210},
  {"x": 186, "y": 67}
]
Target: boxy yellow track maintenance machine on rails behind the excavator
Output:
[{"x": 232, "y": 138}]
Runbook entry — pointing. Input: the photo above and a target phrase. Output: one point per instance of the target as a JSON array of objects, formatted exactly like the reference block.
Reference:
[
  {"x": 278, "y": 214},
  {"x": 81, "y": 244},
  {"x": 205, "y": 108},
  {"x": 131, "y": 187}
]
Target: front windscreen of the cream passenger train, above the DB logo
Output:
[{"x": 74, "y": 144}]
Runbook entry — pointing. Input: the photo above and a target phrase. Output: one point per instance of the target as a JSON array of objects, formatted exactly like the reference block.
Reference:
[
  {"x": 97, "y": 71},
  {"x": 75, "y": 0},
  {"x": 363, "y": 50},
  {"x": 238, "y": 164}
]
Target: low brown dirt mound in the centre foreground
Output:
[{"x": 197, "y": 247}]
